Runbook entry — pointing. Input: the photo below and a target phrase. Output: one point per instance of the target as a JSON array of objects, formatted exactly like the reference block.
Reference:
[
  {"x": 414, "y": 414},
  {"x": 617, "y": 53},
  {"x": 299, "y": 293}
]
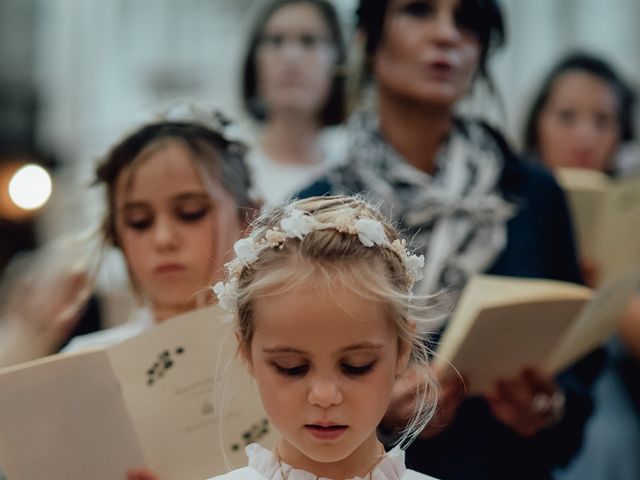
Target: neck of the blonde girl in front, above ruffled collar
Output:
[{"x": 360, "y": 463}]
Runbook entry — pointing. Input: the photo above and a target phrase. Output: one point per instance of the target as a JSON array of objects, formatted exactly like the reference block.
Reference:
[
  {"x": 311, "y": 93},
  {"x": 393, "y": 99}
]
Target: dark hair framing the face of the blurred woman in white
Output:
[{"x": 333, "y": 112}]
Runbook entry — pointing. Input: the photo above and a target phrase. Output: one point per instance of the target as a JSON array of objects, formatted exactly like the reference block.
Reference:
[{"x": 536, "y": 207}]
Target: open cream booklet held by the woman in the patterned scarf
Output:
[{"x": 504, "y": 324}]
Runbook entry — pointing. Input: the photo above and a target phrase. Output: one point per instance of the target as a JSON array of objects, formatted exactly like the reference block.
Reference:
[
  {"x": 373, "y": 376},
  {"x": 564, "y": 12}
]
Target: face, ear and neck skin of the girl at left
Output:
[{"x": 168, "y": 228}]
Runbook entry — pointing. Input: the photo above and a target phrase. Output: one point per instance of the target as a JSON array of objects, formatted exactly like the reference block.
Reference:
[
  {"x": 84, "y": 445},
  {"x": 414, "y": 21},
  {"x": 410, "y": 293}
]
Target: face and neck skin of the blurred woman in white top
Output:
[{"x": 295, "y": 67}]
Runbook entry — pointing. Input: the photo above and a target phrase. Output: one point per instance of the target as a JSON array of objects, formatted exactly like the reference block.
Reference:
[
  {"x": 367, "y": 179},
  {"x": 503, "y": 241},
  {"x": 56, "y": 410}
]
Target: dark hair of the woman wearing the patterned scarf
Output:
[{"x": 482, "y": 17}]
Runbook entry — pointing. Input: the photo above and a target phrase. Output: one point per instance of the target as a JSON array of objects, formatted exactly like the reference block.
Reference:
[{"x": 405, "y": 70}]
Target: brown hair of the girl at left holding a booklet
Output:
[{"x": 222, "y": 158}]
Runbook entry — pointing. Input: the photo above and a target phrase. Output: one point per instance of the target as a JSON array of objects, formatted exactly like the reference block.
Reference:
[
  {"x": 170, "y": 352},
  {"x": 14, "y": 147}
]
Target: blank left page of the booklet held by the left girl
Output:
[{"x": 65, "y": 418}]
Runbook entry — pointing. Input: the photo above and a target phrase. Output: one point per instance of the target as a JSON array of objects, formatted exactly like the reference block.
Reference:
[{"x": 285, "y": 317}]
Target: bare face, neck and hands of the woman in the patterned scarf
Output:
[{"x": 423, "y": 66}]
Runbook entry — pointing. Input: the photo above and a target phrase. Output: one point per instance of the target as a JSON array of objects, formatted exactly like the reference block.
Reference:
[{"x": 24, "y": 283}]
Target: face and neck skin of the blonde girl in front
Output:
[{"x": 325, "y": 361}]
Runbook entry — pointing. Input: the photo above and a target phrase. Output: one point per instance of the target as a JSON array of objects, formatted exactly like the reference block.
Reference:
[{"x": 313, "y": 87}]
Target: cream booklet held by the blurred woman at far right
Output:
[{"x": 606, "y": 216}]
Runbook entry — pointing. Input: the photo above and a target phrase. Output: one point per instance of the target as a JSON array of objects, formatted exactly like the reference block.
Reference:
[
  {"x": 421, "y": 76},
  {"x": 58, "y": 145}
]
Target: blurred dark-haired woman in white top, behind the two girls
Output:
[{"x": 293, "y": 86}]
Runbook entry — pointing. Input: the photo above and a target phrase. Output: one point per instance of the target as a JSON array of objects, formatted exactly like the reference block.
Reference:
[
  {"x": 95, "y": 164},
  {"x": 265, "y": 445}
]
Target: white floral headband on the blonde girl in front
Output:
[{"x": 297, "y": 224}]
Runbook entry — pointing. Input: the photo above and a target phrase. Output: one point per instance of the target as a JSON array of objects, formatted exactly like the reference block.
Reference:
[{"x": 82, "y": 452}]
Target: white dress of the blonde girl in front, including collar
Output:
[{"x": 264, "y": 465}]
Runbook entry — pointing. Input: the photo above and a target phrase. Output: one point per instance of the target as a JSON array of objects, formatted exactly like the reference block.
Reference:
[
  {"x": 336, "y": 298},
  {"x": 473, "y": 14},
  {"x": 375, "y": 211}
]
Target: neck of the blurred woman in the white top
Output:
[{"x": 291, "y": 139}]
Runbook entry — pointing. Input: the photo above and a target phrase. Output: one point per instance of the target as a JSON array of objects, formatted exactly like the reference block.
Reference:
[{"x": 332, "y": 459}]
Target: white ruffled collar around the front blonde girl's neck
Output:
[{"x": 391, "y": 467}]
